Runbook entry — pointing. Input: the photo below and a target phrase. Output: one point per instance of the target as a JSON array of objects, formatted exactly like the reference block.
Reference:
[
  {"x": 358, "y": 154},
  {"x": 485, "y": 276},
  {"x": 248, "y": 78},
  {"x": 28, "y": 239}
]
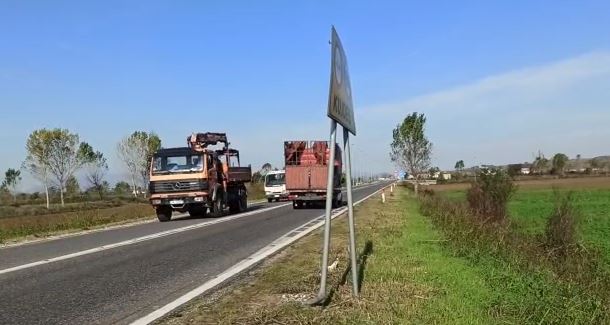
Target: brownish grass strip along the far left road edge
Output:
[{"x": 12, "y": 228}]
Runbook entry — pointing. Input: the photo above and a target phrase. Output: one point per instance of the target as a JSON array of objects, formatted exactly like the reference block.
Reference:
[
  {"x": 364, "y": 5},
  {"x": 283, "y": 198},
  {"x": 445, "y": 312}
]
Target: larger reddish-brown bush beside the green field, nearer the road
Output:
[{"x": 488, "y": 196}]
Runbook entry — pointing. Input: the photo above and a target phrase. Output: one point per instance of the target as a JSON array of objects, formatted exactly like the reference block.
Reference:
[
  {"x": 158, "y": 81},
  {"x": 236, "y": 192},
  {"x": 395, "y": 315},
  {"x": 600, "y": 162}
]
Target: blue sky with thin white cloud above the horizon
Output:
[{"x": 498, "y": 80}]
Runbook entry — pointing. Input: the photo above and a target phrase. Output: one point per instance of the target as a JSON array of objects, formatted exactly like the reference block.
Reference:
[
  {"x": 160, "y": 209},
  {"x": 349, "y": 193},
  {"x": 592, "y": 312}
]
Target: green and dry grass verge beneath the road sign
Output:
[{"x": 411, "y": 273}]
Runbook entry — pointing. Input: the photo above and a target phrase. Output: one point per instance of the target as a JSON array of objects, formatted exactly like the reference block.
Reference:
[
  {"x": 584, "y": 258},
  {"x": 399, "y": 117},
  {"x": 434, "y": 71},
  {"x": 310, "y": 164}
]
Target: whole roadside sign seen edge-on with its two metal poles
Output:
[{"x": 340, "y": 110}]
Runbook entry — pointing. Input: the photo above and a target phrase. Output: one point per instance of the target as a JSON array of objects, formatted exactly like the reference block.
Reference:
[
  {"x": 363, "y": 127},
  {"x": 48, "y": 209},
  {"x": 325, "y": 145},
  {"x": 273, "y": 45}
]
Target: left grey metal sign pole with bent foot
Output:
[{"x": 327, "y": 220}]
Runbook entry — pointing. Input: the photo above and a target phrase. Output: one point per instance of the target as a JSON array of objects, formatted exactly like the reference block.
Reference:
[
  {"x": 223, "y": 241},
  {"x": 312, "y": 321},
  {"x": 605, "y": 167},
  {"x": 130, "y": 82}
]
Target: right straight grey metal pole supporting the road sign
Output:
[{"x": 350, "y": 212}]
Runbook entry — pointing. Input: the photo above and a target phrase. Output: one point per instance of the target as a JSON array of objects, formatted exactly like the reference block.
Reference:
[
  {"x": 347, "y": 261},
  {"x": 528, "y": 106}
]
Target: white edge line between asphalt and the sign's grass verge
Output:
[{"x": 243, "y": 265}]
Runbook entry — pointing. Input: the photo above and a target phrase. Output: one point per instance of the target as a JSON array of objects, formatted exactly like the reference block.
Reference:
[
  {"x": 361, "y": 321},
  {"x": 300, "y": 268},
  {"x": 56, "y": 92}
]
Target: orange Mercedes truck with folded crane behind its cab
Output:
[{"x": 205, "y": 175}]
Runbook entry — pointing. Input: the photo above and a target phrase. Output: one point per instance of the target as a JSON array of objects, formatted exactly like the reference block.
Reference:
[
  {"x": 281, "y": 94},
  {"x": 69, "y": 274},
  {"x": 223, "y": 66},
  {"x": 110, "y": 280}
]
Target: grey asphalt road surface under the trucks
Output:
[{"x": 121, "y": 284}]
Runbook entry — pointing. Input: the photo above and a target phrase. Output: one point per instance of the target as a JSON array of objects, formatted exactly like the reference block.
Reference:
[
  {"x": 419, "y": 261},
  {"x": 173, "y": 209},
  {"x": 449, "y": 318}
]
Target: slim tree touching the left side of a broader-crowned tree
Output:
[{"x": 36, "y": 161}]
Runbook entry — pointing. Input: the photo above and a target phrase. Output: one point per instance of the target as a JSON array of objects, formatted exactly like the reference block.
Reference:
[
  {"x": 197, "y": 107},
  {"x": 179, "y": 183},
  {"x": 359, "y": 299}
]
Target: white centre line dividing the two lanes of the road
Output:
[{"x": 139, "y": 239}]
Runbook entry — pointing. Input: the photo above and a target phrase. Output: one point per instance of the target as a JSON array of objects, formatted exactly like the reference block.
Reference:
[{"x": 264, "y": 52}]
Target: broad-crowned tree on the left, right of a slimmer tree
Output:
[{"x": 66, "y": 154}]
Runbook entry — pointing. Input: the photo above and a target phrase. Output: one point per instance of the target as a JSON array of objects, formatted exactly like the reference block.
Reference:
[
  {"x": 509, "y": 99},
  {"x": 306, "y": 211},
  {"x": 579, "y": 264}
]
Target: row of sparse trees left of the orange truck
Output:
[{"x": 55, "y": 156}]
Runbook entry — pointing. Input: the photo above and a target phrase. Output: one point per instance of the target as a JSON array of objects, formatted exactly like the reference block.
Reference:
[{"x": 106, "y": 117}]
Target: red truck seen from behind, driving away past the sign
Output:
[{"x": 307, "y": 172}]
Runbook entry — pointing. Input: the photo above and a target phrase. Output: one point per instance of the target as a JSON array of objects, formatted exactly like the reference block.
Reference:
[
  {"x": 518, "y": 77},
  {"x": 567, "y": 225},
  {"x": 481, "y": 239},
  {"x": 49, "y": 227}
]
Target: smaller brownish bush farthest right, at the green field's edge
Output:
[{"x": 561, "y": 229}]
